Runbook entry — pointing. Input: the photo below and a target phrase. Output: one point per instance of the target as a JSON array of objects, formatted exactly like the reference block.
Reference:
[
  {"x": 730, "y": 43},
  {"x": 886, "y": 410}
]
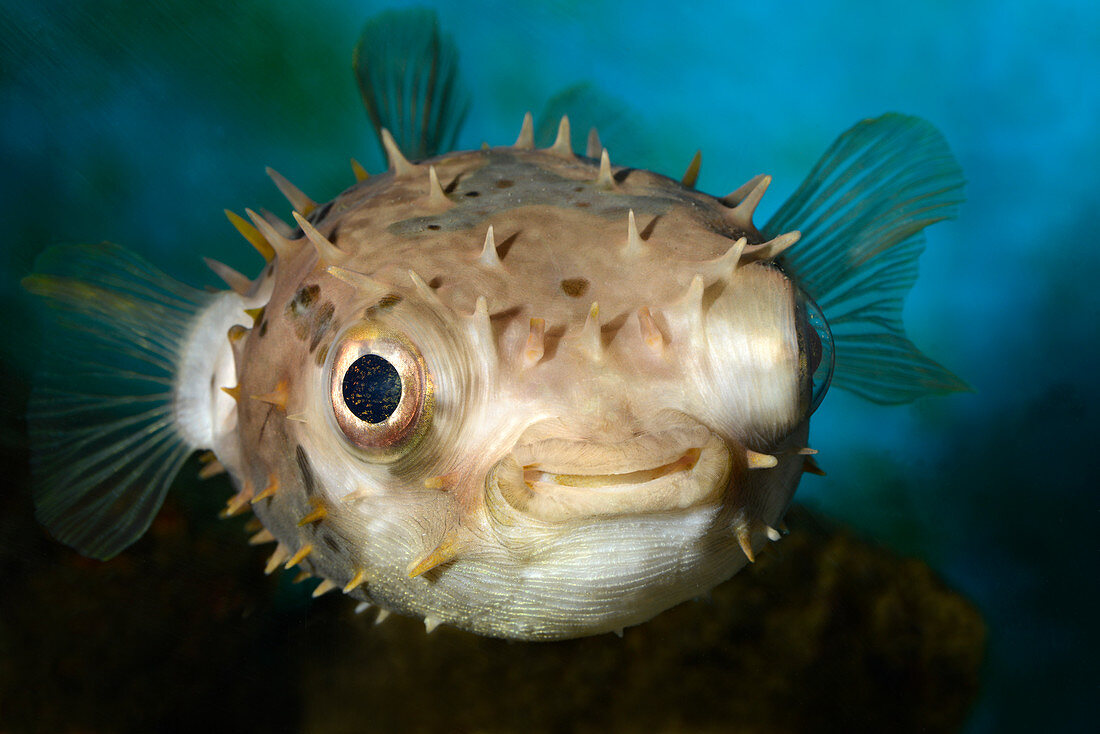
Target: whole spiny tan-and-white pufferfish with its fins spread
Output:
[{"x": 527, "y": 393}]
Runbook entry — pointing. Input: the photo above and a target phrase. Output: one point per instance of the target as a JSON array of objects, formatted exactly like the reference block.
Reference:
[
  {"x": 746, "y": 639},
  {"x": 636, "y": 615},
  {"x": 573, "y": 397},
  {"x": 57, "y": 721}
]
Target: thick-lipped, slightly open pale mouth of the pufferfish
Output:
[{"x": 557, "y": 480}]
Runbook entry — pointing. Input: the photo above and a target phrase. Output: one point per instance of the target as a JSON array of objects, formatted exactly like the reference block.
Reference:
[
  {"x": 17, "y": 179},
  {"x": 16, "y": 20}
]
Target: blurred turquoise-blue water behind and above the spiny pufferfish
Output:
[{"x": 139, "y": 123}]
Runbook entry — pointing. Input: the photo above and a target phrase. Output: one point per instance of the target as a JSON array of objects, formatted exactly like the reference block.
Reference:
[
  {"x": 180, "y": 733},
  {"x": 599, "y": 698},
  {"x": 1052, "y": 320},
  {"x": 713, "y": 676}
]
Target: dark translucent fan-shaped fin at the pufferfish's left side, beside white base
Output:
[{"x": 104, "y": 436}]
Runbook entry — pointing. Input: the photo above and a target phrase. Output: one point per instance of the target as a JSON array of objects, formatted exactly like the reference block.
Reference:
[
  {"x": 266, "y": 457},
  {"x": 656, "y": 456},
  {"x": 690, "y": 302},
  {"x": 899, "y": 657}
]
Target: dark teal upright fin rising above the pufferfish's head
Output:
[{"x": 409, "y": 76}]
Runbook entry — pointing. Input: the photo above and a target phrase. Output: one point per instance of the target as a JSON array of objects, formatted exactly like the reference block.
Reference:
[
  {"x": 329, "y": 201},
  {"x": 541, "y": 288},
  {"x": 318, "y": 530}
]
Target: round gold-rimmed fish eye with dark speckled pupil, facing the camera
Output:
[{"x": 381, "y": 392}]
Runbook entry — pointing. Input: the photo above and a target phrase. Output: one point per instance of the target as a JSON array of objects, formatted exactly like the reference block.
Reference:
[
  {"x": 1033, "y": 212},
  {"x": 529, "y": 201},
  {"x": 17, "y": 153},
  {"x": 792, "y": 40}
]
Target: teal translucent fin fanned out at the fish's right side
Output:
[{"x": 862, "y": 212}]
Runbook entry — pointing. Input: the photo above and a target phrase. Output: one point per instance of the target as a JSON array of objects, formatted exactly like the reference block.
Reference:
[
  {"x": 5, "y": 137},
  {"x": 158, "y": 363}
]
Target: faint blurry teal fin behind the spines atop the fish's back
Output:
[{"x": 588, "y": 107}]
